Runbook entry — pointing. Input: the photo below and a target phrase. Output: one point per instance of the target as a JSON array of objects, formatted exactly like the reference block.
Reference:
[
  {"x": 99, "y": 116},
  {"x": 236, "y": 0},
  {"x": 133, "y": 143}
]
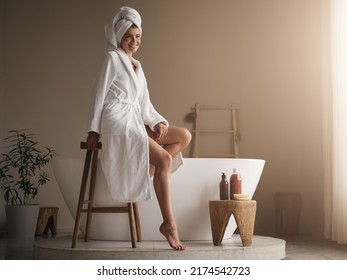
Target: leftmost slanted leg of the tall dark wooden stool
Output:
[{"x": 81, "y": 198}]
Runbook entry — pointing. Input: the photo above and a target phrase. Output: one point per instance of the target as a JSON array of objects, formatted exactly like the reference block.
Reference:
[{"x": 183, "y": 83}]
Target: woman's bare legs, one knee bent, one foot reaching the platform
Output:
[{"x": 161, "y": 158}]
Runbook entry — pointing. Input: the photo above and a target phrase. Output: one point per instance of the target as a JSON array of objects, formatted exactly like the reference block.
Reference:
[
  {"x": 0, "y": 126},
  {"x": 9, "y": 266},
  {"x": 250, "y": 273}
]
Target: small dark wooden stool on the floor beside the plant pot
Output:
[{"x": 47, "y": 220}]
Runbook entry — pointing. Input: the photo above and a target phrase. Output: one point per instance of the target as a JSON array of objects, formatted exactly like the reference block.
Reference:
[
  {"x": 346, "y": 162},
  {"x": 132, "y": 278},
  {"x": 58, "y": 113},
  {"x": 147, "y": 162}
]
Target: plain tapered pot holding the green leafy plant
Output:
[{"x": 21, "y": 220}]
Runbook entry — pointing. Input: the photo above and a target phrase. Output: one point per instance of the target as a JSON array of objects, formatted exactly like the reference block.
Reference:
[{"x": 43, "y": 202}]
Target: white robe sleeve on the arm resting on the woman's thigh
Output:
[{"x": 149, "y": 115}]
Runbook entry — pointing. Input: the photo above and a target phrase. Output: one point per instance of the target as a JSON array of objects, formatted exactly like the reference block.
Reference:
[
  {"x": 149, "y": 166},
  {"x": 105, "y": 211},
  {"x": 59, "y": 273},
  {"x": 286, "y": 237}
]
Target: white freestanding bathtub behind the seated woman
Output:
[{"x": 192, "y": 186}]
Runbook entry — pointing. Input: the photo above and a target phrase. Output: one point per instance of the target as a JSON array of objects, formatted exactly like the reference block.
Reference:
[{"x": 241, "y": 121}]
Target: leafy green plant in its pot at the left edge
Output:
[{"x": 21, "y": 176}]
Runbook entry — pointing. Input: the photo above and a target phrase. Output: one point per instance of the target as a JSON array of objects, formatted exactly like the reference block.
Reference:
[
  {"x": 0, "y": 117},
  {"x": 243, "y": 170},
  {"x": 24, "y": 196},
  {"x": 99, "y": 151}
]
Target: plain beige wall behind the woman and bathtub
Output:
[{"x": 263, "y": 55}]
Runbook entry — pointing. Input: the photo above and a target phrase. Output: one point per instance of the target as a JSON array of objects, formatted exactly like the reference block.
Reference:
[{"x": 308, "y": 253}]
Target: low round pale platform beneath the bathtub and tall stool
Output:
[{"x": 263, "y": 248}]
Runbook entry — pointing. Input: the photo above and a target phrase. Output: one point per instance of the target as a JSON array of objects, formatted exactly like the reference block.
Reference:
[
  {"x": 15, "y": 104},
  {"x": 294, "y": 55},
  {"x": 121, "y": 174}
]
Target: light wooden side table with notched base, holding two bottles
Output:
[{"x": 244, "y": 214}]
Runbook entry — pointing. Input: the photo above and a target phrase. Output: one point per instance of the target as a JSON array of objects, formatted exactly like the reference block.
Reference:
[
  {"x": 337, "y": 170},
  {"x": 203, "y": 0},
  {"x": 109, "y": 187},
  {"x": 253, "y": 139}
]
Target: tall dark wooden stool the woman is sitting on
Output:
[{"x": 131, "y": 208}]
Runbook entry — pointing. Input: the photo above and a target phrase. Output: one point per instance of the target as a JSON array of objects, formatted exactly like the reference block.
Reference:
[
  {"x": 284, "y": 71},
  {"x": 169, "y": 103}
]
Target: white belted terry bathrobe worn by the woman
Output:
[{"x": 120, "y": 110}]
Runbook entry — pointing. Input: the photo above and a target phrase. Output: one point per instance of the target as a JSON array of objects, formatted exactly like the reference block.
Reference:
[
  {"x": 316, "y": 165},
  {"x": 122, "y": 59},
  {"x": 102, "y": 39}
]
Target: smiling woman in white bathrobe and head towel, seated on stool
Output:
[{"x": 137, "y": 141}]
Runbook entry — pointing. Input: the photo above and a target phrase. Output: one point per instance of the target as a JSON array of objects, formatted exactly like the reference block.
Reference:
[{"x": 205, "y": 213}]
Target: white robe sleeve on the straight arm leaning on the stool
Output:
[{"x": 106, "y": 75}]
